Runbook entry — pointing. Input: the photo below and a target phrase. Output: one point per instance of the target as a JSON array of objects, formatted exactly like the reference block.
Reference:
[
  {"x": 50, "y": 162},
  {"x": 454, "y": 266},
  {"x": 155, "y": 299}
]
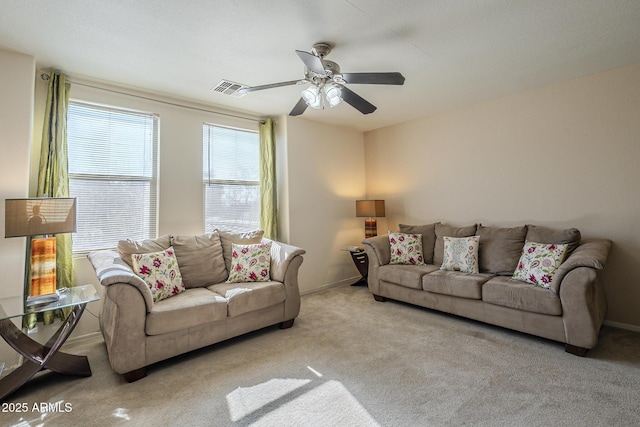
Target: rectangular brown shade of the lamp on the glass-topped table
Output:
[{"x": 39, "y": 216}]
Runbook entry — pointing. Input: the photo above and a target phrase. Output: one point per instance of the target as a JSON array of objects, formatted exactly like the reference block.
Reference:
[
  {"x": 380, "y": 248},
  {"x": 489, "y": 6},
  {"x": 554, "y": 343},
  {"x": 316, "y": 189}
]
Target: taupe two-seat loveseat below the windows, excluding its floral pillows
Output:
[{"x": 138, "y": 331}]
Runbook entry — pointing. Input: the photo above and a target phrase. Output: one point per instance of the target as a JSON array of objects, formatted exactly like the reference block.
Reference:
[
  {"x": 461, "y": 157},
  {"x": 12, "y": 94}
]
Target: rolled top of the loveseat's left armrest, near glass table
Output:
[{"x": 111, "y": 269}]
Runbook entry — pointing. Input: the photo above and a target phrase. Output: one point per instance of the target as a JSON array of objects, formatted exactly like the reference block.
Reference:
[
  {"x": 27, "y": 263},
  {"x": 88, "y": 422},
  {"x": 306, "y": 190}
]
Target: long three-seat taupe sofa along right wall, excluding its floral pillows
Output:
[{"x": 571, "y": 311}]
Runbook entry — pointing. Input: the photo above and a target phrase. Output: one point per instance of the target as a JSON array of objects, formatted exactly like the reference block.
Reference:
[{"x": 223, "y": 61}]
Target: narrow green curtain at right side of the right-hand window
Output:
[{"x": 268, "y": 196}]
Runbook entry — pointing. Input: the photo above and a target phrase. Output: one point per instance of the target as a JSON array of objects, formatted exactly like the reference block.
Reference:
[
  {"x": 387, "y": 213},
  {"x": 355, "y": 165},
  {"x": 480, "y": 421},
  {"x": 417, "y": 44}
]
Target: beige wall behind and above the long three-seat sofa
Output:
[{"x": 565, "y": 155}]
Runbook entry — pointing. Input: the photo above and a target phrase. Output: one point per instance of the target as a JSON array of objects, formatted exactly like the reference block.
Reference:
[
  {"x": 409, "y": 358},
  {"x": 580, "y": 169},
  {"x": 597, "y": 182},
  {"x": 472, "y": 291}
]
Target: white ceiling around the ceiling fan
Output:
[{"x": 452, "y": 52}]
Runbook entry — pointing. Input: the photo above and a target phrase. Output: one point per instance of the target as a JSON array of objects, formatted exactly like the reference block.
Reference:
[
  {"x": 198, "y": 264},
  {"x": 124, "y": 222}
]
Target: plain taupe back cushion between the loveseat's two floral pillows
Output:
[{"x": 200, "y": 259}]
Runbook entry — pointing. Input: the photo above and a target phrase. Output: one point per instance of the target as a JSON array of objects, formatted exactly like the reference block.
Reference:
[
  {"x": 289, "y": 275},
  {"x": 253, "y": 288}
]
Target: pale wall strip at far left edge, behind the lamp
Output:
[{"x": 16, "y": 111}]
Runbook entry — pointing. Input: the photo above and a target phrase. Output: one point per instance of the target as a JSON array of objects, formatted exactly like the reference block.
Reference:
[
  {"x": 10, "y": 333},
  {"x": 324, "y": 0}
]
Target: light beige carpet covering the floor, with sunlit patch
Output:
[{"x": 351, "y": 361}]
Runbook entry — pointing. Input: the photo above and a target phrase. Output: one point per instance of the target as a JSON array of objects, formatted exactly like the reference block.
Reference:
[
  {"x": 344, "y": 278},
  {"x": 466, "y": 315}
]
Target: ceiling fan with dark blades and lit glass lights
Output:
[{"x": 327, "y": 83}]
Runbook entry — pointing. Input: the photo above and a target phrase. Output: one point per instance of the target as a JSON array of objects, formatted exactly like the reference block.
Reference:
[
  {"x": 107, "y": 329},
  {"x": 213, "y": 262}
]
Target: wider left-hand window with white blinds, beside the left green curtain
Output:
[{"x": 112, "y": 171}]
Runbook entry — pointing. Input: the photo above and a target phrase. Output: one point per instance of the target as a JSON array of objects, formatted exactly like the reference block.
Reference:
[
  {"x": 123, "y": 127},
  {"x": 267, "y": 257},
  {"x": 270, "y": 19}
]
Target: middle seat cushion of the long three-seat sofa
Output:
[{"x": 455, "y": 283}]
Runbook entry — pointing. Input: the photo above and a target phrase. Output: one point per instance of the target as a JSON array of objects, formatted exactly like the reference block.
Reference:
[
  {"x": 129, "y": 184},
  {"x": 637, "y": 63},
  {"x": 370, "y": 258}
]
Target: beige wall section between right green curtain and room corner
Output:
[{"x": 325, "y": 167}]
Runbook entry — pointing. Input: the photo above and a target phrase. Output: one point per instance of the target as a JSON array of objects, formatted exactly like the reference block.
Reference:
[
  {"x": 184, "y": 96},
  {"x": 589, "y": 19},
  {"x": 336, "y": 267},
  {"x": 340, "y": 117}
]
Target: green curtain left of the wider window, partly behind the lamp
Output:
[{"x": 53, "y": 177}]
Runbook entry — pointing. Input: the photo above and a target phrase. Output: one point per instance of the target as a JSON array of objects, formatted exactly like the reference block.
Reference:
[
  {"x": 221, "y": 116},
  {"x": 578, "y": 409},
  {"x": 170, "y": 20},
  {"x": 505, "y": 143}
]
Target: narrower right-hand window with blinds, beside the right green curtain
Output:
[{"x": 231, "y": 178}]
